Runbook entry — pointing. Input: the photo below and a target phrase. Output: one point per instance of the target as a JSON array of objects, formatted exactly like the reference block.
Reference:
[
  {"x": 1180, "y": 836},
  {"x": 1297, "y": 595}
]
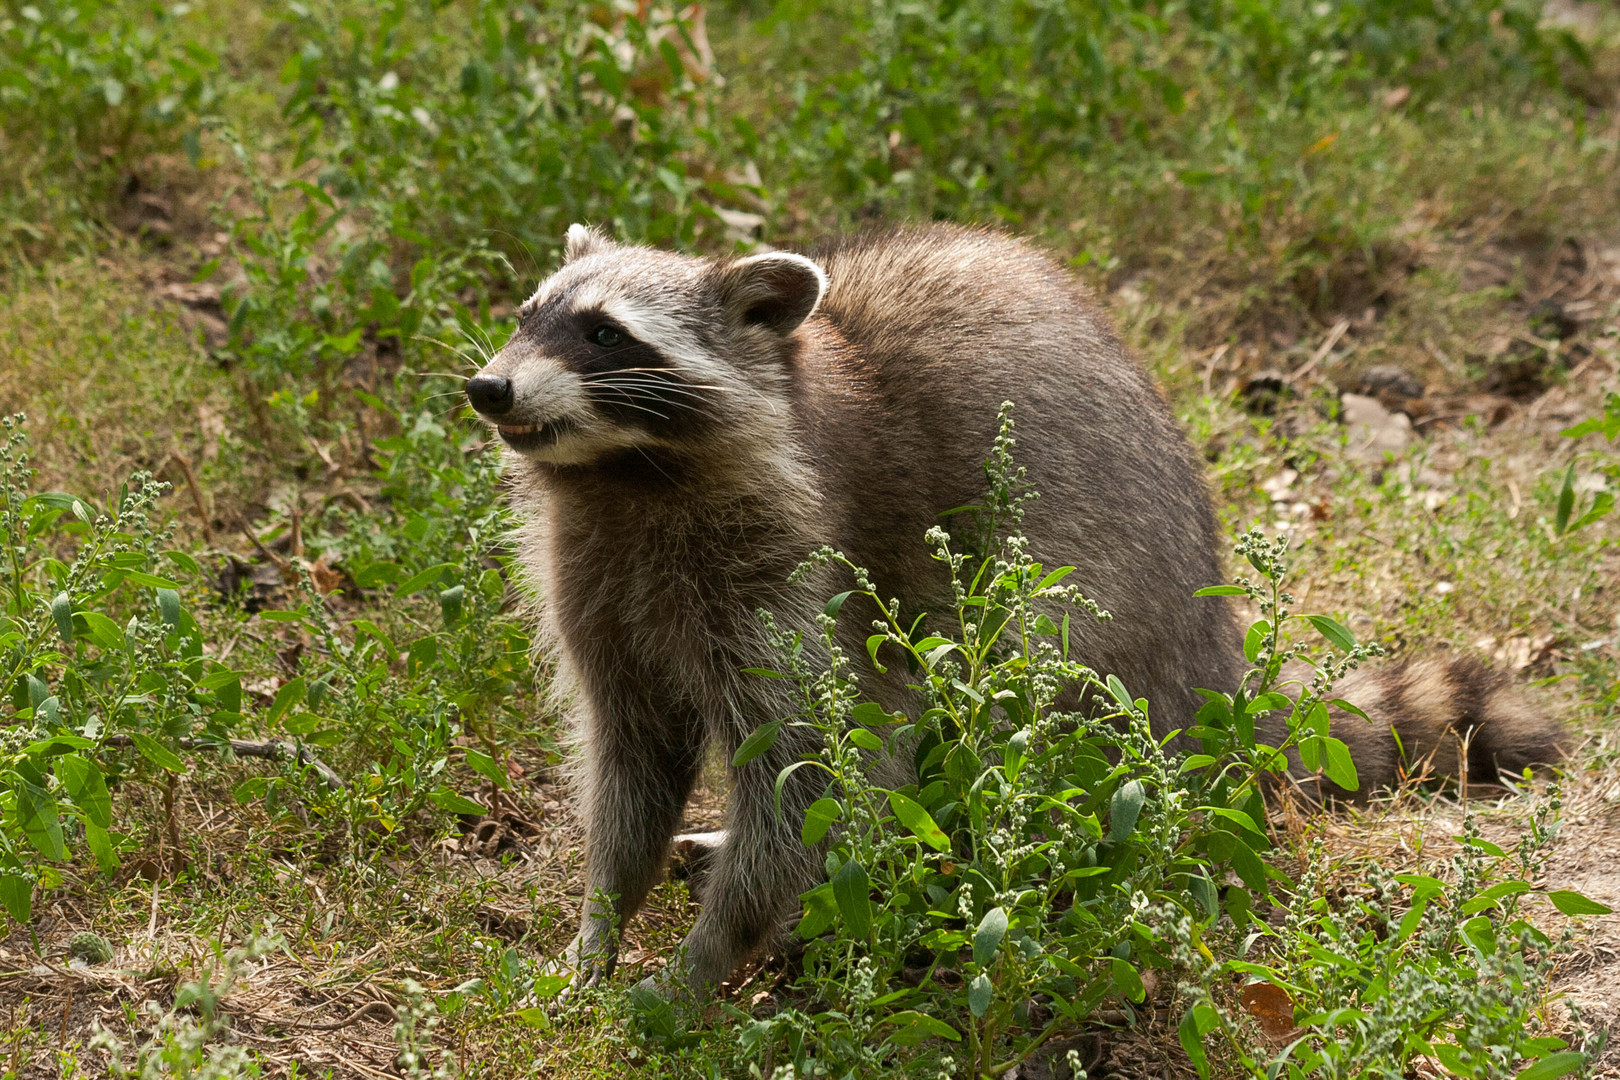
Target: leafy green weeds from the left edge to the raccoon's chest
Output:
[{"x": 109, "y": 682}]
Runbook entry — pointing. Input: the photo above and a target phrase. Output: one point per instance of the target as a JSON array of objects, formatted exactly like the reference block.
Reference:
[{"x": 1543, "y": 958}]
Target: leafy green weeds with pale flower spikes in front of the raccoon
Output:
[{"x": 1047, "y": 859}]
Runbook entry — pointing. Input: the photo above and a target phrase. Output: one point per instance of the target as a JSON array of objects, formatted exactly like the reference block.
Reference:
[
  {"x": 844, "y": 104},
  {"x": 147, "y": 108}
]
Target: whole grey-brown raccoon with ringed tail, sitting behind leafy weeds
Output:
[{"x": 686, "y": 432}]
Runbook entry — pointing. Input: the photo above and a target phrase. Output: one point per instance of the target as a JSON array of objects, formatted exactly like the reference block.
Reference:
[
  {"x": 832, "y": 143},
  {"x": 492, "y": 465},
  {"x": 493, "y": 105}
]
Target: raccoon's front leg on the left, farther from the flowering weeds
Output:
[{"x": 634, "y": 784}]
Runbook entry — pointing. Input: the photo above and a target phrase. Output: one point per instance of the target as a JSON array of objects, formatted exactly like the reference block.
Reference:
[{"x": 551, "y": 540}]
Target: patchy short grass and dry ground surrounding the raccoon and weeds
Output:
[{"x": 1443, "y": 227}]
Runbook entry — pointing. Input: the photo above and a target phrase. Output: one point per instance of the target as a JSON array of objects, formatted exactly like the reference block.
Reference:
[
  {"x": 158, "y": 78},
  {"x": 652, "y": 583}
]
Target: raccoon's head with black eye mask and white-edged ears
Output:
[{"x": 633, "y": 349}]
